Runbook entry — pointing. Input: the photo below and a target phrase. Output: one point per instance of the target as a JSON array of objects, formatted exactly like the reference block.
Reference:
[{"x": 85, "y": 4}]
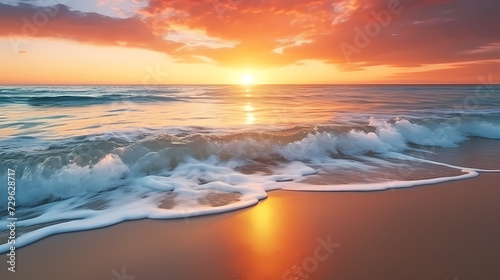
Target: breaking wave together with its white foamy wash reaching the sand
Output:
[{"x": 98, "y": 180}]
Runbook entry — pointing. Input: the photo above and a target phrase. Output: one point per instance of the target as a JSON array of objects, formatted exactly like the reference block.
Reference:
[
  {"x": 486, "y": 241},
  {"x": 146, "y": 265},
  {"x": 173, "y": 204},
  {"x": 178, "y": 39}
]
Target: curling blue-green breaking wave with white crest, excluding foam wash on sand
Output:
[{"x": 134, "y": 153}]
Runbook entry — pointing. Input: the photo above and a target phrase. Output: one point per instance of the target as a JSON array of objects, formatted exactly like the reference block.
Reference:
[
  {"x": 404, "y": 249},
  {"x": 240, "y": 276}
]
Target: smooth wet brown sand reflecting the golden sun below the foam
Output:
[{"x": 445, "y": 231}]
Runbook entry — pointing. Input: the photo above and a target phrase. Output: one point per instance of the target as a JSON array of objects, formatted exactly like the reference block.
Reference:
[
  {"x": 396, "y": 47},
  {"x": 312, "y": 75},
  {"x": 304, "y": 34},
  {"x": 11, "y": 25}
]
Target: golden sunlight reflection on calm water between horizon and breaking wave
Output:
[{"x": 241, "y": 106}]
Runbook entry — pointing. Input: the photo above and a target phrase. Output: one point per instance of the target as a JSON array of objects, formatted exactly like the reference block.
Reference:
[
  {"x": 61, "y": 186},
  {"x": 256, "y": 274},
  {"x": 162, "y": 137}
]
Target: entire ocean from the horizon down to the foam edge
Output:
[{"x": 87, "y": 157}]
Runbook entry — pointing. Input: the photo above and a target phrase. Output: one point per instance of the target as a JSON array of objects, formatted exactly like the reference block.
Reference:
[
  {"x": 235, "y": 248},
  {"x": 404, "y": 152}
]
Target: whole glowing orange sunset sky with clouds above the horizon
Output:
[{"x": 273, "y": 41}]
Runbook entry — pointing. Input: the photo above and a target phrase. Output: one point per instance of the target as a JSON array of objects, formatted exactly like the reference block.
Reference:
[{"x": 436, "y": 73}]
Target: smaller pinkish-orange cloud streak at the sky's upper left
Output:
[{"x": 25, "y": 20}]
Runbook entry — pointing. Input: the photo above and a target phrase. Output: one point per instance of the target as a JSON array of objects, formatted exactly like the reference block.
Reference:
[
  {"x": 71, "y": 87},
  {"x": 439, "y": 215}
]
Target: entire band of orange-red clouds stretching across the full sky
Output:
[{"x": 255, "y": 33}]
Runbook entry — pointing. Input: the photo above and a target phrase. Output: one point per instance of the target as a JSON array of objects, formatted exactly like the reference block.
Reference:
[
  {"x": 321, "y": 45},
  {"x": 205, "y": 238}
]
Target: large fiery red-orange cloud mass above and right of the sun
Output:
[{"x": 424, "y": 32}]
